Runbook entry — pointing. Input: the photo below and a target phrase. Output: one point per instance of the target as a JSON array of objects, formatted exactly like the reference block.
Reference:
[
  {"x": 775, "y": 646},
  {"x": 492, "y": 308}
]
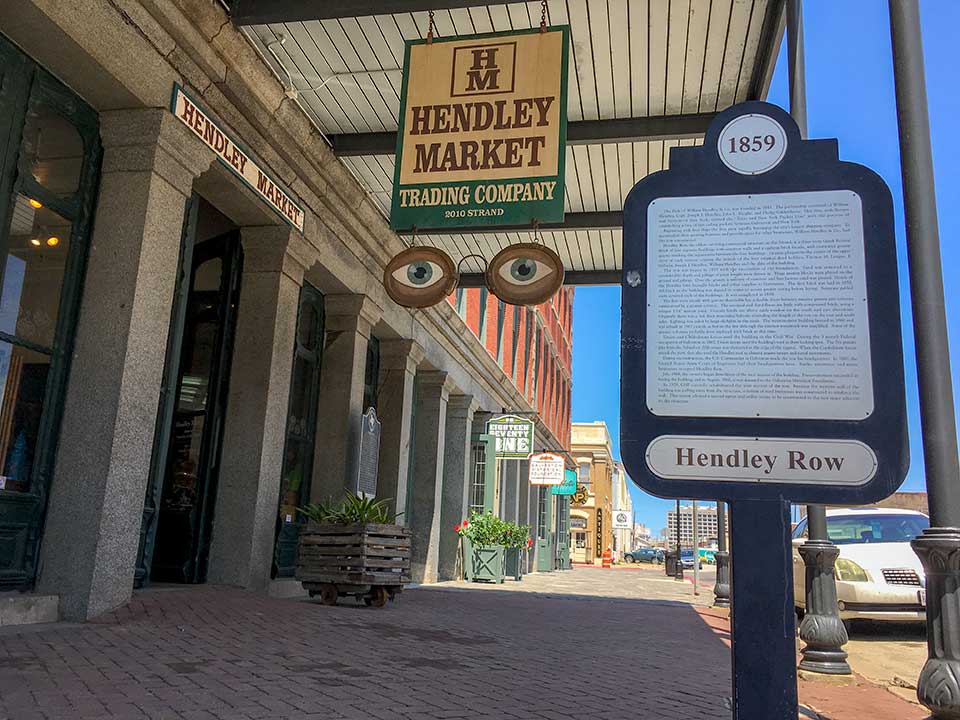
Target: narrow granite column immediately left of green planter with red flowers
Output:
[{"x": 456, "y": 479}]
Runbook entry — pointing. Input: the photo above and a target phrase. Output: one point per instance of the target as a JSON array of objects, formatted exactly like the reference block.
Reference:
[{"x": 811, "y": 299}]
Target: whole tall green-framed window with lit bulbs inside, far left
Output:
[{"x": 48, "y": 169}]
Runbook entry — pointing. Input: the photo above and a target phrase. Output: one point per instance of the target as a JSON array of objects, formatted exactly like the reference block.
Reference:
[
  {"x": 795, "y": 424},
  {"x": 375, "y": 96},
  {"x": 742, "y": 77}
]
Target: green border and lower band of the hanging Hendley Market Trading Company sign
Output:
[{"x": 515, "y": 213}]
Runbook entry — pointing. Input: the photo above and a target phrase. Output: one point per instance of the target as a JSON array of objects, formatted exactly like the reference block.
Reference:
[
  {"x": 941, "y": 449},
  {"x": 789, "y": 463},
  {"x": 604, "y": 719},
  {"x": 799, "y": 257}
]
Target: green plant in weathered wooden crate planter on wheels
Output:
[{"x": 354, "y": 548}]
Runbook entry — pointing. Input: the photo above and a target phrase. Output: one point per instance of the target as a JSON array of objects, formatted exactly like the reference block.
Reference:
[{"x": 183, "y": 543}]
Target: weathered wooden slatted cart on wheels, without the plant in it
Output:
[{"x": 370, "y": 562}]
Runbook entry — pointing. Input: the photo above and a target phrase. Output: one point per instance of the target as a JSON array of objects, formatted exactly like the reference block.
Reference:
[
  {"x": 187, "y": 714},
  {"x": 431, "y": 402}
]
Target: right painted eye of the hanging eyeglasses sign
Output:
[{"x": 525, "y": 274}]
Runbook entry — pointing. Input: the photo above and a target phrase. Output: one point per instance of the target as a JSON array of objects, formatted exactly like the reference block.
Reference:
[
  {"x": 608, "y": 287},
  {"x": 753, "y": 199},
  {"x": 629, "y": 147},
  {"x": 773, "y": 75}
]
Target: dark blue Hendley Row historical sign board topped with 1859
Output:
[{"x": 761, "y": 353}]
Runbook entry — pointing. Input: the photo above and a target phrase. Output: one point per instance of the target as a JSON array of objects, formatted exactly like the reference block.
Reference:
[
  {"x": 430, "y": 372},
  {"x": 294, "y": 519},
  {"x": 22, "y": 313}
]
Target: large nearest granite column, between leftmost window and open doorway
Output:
[{"x": 92, "y": 528}]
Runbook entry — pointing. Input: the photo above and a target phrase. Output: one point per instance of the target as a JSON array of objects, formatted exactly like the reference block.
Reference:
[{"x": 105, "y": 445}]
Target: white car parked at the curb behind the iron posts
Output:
[{"x": 879, "y": 577}]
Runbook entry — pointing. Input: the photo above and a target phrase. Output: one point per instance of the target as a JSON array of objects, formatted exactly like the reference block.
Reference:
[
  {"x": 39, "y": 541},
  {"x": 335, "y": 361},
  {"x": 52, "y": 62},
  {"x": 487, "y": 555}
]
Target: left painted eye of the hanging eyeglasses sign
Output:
[{"x": 420, "y": 277}]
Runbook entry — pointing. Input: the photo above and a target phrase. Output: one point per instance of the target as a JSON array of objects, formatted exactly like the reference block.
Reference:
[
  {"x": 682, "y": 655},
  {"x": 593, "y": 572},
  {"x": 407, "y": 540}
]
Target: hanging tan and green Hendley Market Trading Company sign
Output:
[{"x": 483, "y": 125}]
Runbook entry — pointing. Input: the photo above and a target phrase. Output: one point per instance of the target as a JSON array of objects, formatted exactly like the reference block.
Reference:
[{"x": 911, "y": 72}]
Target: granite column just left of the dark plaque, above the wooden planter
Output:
[{"x": 348, "y": 321}]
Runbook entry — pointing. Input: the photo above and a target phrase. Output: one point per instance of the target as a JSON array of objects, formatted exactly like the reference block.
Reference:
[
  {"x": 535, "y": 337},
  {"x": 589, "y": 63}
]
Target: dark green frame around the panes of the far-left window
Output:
[{"x": 26, "y": 90}]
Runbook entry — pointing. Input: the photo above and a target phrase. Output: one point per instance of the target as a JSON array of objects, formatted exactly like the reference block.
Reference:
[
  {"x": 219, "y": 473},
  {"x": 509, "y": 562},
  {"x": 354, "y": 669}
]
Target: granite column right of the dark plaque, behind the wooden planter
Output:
[{"x": 399, "y": 360}]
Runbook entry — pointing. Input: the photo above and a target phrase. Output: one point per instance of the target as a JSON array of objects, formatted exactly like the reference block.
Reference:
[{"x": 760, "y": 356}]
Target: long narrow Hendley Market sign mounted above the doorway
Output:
[{"x": 234, "y": 157}]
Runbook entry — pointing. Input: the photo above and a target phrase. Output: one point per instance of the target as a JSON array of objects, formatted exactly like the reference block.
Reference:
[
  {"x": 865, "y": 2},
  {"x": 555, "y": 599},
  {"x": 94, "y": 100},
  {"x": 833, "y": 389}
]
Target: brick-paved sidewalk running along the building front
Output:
[{"x": 582, "y": 644}]
